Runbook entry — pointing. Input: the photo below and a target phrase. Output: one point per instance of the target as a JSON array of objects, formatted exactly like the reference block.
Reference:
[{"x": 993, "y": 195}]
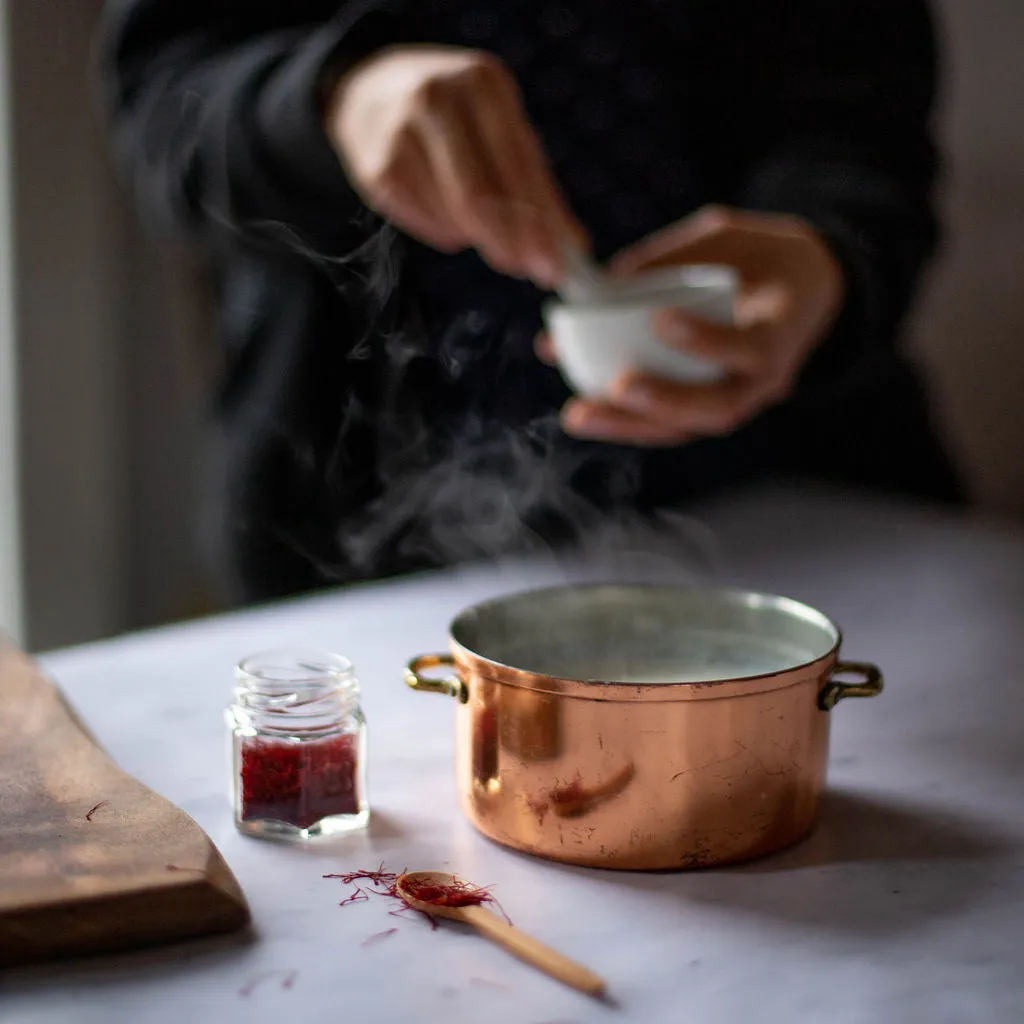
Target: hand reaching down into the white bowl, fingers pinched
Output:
[{"x": 437, "y": 141}]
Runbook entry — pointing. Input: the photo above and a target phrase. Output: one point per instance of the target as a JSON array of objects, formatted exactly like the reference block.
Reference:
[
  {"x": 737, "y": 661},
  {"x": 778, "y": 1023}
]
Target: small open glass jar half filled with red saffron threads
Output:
[{"x": 298, "y": 746}]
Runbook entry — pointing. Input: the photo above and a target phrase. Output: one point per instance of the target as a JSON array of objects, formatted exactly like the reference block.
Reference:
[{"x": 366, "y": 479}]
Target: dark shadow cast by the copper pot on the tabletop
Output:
[{"x": 874, "y": 867}]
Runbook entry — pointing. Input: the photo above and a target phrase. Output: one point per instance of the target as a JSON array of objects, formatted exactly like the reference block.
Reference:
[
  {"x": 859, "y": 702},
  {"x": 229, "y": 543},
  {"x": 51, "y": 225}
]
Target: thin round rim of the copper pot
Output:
[{"x": 591, "y": 690}]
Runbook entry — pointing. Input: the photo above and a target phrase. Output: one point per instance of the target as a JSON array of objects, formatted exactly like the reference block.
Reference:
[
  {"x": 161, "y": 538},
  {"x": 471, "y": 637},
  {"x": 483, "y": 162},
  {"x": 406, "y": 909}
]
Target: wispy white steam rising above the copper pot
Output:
[{"x": 485, "y": 492}]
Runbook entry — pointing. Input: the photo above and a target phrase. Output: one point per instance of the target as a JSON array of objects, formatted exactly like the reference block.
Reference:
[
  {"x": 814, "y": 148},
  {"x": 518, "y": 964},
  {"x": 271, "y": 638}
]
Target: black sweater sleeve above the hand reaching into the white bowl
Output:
[{"x": 217, "y": 114}]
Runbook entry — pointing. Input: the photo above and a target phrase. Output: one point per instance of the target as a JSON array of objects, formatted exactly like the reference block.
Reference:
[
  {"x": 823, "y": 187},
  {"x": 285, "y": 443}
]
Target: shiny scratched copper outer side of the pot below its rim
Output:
[{"x": 650, "y": 786}]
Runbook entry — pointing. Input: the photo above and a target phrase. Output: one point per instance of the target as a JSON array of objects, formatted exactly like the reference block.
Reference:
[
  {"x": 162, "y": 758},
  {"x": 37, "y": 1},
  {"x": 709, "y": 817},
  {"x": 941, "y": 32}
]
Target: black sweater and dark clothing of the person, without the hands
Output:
[{"x": 381, "y": 405}]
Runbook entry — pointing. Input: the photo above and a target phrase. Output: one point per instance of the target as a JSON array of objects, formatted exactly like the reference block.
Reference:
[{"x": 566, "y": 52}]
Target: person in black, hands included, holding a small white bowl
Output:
[{"x": 385, "y": 192}]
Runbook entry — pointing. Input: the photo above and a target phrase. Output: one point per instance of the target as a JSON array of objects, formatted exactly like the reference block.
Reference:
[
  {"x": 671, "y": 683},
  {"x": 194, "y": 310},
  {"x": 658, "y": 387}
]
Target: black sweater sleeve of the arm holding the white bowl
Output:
[{"x": 851, "y": 152}]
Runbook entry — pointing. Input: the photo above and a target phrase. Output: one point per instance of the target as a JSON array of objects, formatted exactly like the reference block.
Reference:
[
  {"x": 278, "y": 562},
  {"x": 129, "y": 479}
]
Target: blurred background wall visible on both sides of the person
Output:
[{"x": 111, "y": 333}]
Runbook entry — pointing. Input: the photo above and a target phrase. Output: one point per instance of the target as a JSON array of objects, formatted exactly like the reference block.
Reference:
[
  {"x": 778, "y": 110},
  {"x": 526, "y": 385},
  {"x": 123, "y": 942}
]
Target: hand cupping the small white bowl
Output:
[{"x": 791, "y": 292}]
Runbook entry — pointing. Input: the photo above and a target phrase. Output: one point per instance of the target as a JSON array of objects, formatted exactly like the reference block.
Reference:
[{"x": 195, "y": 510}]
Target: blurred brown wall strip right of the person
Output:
[{"x": 970, "y": 331}]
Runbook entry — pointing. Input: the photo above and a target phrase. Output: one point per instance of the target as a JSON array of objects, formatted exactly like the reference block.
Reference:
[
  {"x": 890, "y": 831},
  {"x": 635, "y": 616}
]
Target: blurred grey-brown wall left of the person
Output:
[{"x": 106, "y": 326}]
